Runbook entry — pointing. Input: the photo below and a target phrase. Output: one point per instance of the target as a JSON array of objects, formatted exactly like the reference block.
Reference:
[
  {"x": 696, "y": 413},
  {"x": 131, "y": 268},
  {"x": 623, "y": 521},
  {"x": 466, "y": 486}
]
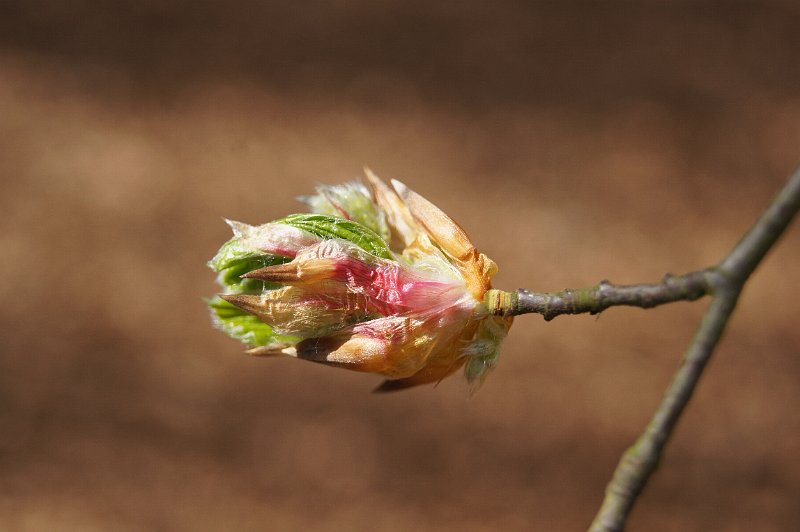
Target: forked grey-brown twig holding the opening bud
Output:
[{"x": 724, "y": 282}]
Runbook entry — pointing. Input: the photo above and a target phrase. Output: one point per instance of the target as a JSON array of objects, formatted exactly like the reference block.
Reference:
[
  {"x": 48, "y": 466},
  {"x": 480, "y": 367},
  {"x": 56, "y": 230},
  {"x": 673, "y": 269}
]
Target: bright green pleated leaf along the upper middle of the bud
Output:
[{"x": 325, "y": 226}]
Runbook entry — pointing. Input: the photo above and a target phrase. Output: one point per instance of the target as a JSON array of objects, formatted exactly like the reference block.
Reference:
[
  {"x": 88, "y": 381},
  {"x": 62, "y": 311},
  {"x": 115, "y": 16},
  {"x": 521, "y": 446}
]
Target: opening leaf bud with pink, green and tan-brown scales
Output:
[{"x": 375, "y": 279}]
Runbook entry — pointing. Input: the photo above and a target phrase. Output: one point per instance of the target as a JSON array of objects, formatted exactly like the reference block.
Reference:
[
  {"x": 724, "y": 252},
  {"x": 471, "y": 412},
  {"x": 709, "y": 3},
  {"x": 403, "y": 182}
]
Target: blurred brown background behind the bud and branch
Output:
[{"x": 574, "y": 140}]
